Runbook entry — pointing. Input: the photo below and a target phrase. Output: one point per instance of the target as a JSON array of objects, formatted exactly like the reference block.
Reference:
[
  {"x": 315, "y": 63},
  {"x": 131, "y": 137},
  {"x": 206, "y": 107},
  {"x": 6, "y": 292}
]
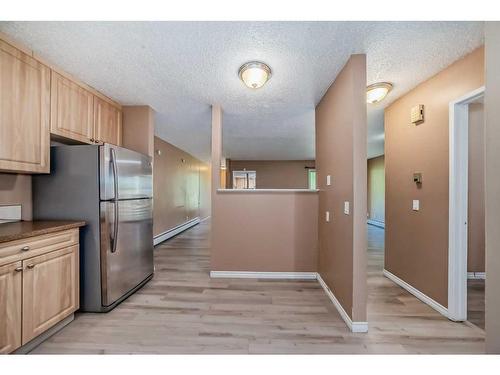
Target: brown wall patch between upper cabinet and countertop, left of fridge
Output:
[{"x": 16, "y": 189}]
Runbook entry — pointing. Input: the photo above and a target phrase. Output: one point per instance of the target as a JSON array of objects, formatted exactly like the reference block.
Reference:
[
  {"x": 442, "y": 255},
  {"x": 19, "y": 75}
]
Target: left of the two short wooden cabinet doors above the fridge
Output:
[{"x": 71, "y": 111}]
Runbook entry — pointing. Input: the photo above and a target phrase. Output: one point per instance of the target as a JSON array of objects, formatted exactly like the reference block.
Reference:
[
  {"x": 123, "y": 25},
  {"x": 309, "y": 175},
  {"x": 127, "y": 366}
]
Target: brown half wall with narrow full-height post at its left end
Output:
[{"x": 260, "y": 231}]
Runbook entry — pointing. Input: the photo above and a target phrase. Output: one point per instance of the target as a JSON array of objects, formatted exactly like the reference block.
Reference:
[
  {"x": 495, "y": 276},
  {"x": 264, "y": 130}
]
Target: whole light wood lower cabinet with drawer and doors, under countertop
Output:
[{"x": 39, "y": 288}]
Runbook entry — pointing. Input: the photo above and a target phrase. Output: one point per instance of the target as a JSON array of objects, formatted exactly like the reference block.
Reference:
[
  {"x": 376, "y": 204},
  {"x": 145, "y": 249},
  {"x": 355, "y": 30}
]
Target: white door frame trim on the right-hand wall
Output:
[{"x": 458, "y": 188}]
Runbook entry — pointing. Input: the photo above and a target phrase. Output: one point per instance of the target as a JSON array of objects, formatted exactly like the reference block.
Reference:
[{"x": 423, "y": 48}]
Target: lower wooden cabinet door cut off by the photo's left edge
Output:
[{"x": 10, "y": 307}]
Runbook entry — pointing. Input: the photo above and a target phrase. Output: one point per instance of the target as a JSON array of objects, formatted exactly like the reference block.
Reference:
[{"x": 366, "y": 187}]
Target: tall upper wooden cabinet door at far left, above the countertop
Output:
[{"x": 24, "y": 112}]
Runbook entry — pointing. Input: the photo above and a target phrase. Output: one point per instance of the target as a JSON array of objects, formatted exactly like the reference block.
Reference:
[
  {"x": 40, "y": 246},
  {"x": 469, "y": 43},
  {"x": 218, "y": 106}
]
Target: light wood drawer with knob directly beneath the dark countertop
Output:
[{"x": 29, "y": 247}]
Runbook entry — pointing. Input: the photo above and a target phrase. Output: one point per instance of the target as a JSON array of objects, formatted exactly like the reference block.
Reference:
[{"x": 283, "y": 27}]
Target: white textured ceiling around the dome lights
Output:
[{"x": 181, "y": 68}]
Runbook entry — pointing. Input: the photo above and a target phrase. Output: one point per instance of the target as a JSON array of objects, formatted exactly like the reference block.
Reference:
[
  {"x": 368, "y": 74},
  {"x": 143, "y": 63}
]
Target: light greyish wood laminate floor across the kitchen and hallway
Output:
[{"x": 182, "y": 310}]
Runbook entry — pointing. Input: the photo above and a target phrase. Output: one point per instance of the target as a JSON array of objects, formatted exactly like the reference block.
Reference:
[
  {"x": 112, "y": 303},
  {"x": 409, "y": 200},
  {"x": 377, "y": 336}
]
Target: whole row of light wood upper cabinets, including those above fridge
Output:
[{"x": 37, "y": 100}]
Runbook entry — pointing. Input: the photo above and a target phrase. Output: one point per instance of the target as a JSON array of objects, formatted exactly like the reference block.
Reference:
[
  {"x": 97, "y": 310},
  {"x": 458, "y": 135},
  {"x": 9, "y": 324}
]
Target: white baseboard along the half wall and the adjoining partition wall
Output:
[{"x": 356, "y": 327}]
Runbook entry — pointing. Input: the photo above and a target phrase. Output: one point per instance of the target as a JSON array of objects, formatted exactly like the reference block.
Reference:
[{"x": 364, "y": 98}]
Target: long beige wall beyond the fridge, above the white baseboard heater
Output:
[{"x": 180, "y": 188}]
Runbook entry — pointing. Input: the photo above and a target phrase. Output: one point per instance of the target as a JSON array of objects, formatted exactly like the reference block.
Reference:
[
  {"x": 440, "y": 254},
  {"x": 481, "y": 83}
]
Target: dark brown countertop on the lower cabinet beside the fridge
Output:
[{"x": 25, "y": 229}]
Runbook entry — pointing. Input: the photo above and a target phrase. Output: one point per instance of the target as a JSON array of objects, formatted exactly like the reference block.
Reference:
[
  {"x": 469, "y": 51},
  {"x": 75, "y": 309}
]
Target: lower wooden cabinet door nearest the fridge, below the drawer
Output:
[{"x": 50, "y": 290}]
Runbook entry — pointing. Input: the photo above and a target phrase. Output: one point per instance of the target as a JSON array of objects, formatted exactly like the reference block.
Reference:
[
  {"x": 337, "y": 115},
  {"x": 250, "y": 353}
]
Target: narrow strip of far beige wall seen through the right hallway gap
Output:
[{"x": 376, "y": 189}]
